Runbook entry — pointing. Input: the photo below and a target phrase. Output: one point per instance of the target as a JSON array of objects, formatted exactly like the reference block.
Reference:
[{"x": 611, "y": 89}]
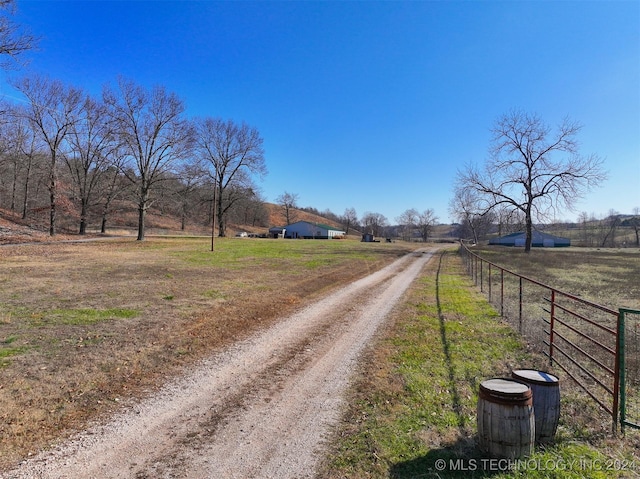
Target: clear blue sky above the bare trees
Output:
[{"x": 370, "y": 105}]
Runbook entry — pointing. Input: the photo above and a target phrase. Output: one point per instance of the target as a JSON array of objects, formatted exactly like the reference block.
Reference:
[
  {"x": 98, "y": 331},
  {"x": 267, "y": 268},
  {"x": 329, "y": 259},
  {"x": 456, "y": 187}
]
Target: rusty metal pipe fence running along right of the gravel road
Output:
[{"x": 583, "y": 338}]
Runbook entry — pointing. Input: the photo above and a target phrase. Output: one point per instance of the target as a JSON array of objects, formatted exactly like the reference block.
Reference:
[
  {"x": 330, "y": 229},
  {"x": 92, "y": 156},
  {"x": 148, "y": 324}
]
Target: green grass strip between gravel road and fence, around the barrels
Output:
[{"x": 412, "y": 414}]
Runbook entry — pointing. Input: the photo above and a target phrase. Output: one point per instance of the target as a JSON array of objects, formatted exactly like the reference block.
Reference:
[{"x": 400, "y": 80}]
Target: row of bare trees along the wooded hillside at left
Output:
[{"x": 83, "y": 158}]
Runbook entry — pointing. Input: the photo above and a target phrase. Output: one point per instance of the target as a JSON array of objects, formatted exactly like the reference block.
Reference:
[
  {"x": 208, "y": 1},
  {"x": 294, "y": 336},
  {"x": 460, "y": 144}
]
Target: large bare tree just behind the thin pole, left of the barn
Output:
[{"x": 234, "y": 153}]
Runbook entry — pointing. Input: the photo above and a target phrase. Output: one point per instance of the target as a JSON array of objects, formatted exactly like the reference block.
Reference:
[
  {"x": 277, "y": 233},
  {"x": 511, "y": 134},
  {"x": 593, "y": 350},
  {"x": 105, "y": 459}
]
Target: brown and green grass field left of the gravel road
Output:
[{"x": 84, "y": 326}]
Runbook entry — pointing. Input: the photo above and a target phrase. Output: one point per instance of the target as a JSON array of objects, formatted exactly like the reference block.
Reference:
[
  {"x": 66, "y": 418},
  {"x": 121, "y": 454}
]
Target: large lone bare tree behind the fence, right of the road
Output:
[{"x": 532, "y": 169}]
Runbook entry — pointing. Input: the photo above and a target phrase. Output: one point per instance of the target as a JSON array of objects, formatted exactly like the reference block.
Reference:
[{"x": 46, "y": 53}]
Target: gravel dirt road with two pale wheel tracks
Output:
[{"x": 260, "y": 409}]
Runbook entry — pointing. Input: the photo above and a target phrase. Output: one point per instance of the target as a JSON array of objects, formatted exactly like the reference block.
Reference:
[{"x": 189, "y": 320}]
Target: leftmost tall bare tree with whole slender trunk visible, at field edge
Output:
[{"x": 52, "y": 111}]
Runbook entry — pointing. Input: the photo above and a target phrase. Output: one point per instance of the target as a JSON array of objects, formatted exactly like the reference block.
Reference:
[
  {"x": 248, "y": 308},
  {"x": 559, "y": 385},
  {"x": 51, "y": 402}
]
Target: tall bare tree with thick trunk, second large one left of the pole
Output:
[{"x": 154, "y": 133}]
